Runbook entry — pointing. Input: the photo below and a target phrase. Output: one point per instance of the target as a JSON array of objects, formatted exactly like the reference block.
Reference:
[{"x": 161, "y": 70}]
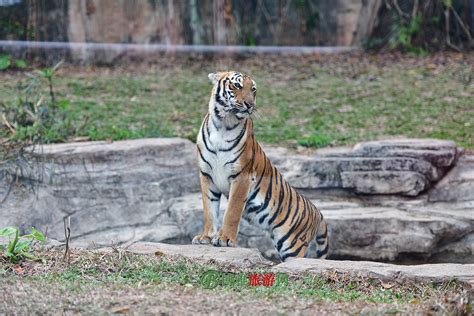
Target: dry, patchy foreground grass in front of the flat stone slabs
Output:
[{"x": 101, "y": 282}]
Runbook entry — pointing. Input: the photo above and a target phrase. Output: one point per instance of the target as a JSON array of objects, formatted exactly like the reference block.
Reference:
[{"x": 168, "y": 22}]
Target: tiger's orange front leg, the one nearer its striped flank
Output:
[{"x": 227, "y": 235}]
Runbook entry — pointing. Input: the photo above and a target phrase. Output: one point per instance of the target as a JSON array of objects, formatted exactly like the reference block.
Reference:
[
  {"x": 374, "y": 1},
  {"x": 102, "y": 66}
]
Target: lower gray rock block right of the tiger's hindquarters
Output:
[{"x": 397, "y": 234}]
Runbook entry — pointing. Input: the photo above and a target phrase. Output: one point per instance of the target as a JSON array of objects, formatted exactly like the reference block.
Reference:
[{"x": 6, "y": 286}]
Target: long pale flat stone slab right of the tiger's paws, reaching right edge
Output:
[{"x": 425, "y": 272}]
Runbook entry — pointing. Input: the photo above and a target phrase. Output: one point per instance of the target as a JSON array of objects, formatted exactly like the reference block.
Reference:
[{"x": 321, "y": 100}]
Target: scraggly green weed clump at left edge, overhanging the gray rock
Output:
[{"x": 36, "y": 117}]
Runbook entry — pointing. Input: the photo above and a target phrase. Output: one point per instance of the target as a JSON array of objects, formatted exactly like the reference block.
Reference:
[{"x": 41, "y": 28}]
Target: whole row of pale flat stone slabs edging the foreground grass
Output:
[{"x": 251, "y": 258}]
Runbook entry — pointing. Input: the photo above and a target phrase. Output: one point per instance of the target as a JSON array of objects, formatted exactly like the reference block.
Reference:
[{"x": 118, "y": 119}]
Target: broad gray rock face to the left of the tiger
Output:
[{"x": 117, "y": 191}]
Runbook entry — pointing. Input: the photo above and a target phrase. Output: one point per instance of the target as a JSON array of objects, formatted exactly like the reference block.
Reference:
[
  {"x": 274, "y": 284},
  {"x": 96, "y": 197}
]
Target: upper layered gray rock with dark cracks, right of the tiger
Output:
[{"x": 405, "y": 167}]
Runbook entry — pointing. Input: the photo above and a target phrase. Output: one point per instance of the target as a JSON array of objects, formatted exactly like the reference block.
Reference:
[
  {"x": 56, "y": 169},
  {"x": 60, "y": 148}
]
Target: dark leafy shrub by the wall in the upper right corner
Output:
[{"x": 418, "y": 27}]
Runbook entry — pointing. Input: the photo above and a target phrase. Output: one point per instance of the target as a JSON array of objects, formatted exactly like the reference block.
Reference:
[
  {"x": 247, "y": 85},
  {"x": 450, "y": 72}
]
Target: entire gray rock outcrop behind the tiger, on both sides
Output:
[{"x": 147, "y": 190}]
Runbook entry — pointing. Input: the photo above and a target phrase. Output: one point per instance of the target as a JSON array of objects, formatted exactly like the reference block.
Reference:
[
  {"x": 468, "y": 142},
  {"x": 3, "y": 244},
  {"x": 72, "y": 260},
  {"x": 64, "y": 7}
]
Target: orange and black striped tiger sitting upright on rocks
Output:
[{"x": 233, "y": 164}]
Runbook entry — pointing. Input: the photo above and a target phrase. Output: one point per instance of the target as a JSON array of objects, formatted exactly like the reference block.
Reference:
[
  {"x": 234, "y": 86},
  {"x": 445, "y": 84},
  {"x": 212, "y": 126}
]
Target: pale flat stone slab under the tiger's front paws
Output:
[{"x": 239, "y": 257}]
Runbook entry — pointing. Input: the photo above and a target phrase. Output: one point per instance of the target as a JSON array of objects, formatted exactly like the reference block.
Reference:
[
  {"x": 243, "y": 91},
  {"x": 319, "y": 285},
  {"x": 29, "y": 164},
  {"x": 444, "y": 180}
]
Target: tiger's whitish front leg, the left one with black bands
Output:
[{"x": 210, "y": 203}]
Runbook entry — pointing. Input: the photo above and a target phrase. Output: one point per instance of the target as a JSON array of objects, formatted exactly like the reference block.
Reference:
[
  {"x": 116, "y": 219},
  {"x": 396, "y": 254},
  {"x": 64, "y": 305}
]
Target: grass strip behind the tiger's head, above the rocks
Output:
[{"x": 311, "y": 101}]
